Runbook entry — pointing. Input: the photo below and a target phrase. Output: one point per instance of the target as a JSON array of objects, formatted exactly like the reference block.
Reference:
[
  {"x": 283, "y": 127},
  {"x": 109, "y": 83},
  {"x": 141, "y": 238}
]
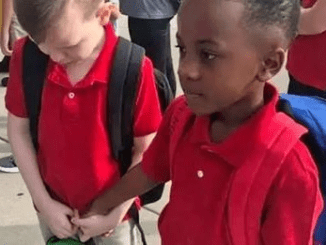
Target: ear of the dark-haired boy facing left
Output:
[{"x": 271, "y": 64}]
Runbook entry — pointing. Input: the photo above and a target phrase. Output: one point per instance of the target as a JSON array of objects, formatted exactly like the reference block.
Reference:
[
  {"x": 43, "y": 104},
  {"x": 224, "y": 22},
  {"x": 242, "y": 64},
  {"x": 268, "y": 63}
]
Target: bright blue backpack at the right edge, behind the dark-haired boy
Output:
[{"x": 311, "y": 112}]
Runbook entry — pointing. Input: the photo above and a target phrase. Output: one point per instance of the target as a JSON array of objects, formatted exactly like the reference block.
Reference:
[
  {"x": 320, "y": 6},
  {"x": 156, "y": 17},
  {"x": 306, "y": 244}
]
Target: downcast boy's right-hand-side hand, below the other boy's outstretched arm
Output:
[{"x": 98, "y": 225}]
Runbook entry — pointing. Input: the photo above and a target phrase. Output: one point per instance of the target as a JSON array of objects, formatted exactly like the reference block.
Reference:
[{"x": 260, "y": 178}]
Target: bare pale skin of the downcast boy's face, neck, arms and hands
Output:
[{"x": 75, "y": 44}]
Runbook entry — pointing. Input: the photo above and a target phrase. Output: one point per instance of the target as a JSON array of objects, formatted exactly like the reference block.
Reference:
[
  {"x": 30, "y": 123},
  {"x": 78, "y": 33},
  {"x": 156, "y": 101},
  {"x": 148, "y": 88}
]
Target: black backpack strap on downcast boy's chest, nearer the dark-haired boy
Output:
[{"x": 122, "y": 96}]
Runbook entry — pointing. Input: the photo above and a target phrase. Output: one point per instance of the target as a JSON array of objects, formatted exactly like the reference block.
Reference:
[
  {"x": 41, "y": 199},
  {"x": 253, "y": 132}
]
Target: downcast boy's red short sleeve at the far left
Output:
[{"x": 15, "y": 99}]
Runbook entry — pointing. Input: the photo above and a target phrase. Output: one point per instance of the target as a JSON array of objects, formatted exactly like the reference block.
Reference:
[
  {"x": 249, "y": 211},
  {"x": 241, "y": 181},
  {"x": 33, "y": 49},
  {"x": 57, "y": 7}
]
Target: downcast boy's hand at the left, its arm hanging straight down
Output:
[{"x": 57, "y": 217}]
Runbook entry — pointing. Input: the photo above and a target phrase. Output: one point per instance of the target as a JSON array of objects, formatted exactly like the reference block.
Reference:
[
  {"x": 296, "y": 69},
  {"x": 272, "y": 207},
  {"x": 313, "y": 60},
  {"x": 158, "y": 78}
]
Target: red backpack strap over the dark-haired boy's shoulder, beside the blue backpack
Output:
[{"x": 252, "y": 181}]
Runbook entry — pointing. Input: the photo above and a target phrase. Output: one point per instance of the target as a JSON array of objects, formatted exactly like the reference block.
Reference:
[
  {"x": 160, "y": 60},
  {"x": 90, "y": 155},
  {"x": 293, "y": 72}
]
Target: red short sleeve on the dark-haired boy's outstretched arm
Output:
[{"x": 156, "y": 160}]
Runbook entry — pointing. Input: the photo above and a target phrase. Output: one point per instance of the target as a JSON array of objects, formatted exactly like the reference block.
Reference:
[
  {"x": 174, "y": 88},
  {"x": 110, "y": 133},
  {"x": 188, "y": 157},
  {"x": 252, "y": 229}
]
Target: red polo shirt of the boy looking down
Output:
[{"x": 74, "y": 154}]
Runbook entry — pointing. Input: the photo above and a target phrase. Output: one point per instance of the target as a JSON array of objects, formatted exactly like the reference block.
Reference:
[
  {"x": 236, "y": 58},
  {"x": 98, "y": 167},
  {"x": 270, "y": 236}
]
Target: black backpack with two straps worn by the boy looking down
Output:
[{"x": 121, "y": 100}]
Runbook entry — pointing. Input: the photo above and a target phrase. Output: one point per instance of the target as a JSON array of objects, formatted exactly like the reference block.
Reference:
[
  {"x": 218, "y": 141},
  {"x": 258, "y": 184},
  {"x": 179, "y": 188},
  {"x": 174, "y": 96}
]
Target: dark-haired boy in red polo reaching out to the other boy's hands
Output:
[{"x": 240, "y": 171}]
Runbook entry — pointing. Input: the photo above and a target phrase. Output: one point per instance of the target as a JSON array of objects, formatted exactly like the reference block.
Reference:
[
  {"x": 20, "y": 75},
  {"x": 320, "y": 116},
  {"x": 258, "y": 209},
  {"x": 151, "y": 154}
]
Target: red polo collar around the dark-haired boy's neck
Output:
[{"x": 244, "y": 141}]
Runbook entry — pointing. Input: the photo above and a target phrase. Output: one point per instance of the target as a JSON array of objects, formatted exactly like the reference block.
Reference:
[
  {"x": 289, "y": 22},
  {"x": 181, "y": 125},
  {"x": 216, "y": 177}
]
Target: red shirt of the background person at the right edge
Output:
[{"x": 306, "y": 58}]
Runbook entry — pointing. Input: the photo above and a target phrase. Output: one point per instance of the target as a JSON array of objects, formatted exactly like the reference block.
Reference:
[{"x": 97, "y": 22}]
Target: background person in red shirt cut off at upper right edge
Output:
[{"x": 306, "y": 57}]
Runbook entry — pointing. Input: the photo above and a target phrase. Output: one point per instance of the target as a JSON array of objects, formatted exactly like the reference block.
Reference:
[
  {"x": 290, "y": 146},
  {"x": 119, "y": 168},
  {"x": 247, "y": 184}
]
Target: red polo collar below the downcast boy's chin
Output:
[{"x": 99, "y": 70}]
